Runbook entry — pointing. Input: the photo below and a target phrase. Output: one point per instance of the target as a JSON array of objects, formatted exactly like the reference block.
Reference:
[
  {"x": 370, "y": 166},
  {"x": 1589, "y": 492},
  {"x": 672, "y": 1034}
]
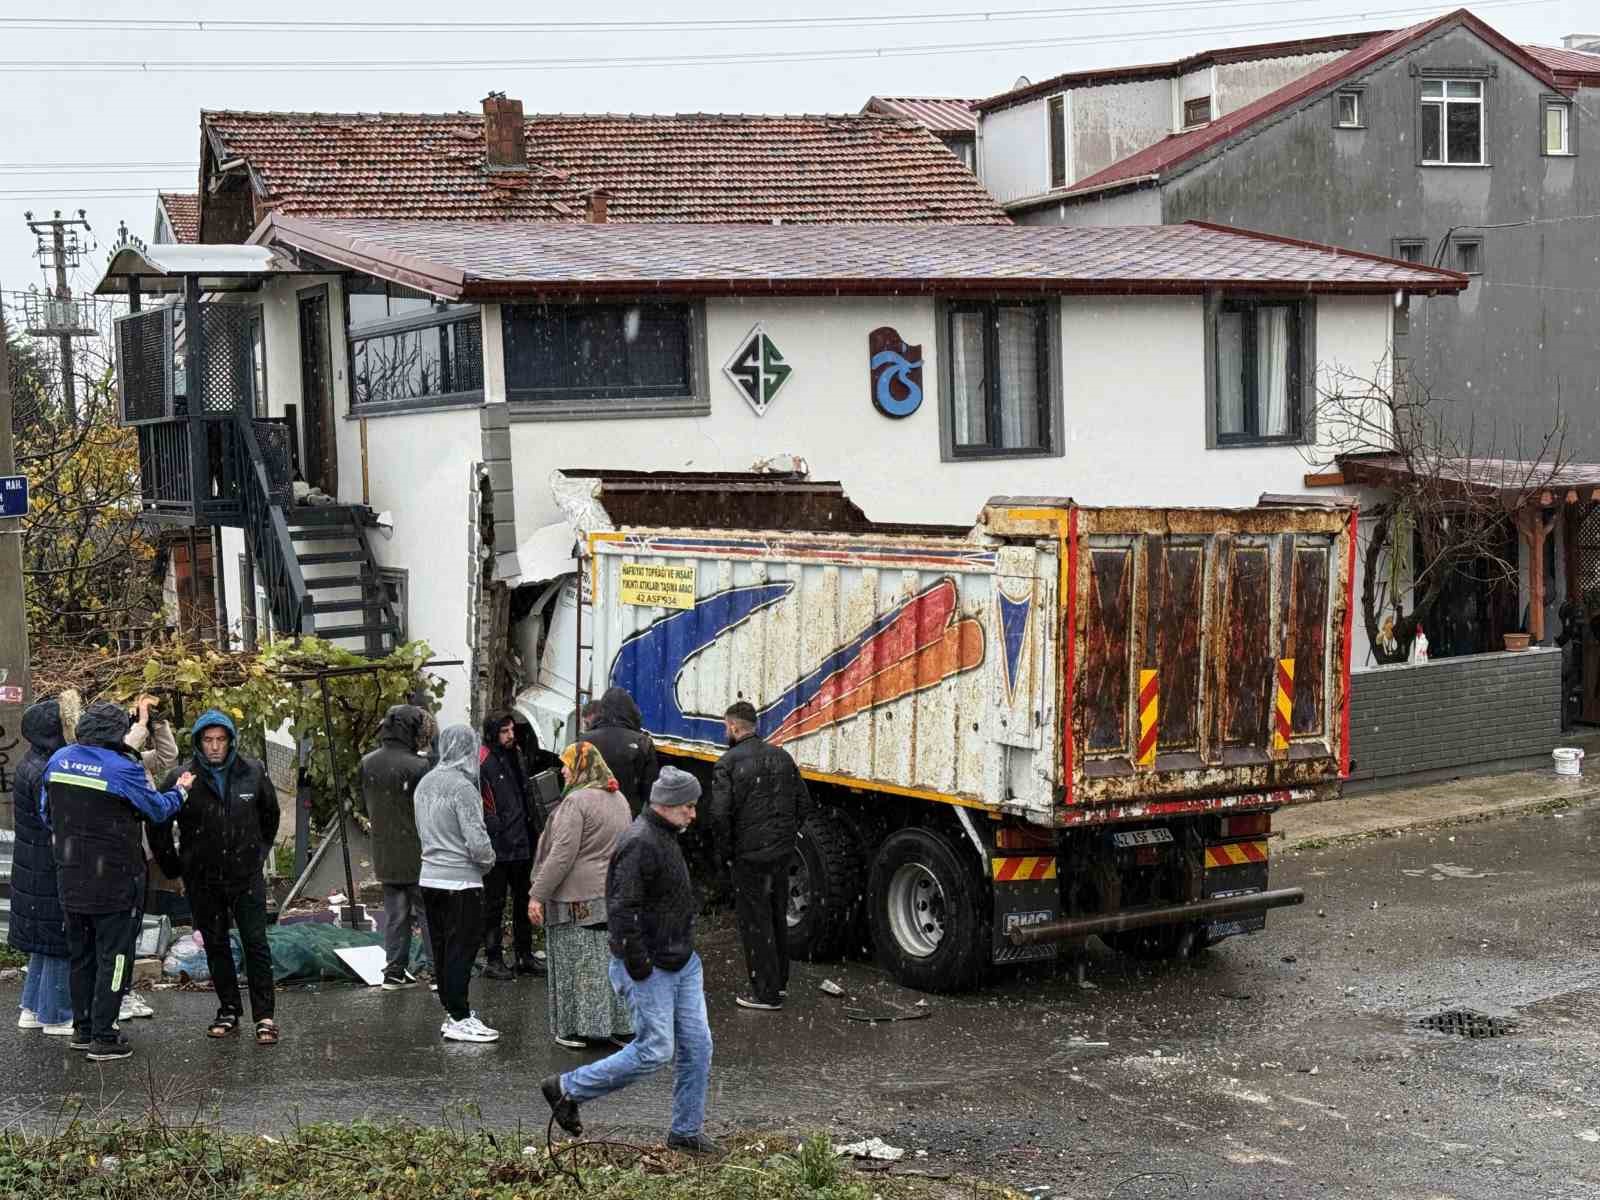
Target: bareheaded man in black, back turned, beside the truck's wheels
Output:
[{"x": 758, "y": 807}]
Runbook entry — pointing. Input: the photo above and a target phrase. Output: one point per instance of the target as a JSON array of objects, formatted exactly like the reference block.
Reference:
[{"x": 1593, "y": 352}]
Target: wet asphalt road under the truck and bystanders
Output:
[{"x": 1286, "y": 1065}]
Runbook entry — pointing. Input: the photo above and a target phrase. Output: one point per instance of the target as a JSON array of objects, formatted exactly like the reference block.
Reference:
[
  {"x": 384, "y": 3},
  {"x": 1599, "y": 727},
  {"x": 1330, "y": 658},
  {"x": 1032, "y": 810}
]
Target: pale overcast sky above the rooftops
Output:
[{"x": 102, "y": 119}]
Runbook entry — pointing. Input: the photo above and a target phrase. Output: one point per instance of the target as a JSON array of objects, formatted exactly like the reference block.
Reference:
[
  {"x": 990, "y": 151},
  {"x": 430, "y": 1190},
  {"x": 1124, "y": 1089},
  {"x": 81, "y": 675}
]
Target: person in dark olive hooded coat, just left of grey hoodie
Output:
[{"x": 390, "y": 778}]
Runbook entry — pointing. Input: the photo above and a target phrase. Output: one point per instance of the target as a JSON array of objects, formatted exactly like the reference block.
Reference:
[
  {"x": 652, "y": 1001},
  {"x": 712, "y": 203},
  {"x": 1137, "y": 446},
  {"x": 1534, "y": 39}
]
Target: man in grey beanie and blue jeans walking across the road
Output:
[{"x": 650, "y": 919}]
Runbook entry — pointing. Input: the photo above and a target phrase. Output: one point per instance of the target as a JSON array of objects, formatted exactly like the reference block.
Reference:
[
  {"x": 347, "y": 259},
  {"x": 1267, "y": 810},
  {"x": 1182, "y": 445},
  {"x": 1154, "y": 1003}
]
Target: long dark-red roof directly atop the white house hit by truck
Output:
[{"x": 486, "y": 262}]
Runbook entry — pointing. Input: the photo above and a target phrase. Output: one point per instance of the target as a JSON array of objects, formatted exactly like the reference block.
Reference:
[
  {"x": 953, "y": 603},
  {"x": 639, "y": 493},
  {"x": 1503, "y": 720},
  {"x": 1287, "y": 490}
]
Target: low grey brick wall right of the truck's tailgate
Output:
[{"x": 1460, "y": 713}]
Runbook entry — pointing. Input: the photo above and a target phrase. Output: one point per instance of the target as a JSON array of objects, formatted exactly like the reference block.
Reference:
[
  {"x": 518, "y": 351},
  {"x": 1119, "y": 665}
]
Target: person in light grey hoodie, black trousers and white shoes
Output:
[{"x": 457, "y": 855}]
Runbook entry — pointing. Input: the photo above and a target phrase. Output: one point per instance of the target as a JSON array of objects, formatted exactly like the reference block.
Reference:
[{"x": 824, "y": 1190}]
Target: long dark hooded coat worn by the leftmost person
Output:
[{"x": 38, "y": 924}]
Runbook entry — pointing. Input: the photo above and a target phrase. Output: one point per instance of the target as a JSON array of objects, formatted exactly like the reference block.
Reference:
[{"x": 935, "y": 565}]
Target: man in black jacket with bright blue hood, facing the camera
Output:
[{"x": 225, "y": 836}]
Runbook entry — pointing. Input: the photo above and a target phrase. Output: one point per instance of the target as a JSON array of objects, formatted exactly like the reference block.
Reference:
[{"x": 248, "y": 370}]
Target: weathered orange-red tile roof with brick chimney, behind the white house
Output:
[{"x": 682, "y": 169}]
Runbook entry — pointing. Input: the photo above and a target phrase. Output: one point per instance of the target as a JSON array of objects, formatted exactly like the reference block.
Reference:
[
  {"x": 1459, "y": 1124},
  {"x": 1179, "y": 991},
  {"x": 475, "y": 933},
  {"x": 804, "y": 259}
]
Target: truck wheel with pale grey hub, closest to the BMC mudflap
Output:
[{"x": 927, "y": 908}]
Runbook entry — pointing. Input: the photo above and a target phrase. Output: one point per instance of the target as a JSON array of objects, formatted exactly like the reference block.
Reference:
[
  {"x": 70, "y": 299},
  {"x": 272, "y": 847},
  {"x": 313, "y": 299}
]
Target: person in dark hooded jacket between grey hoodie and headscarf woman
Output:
[{"x": 510, "y": 817}]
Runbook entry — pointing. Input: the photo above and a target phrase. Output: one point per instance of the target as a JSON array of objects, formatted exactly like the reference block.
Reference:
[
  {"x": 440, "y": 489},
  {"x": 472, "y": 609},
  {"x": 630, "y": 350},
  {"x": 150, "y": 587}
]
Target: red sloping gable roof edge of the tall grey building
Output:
[{"x": 1154, "y": 161}]
